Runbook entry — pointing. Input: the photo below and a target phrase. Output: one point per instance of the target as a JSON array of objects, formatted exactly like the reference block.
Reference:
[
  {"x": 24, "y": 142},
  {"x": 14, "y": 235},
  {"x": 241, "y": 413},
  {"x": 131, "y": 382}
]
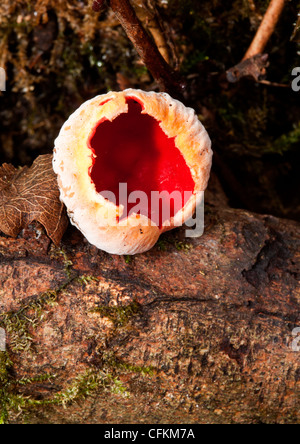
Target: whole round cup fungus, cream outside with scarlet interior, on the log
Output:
[{"x": 148, "y": 141}]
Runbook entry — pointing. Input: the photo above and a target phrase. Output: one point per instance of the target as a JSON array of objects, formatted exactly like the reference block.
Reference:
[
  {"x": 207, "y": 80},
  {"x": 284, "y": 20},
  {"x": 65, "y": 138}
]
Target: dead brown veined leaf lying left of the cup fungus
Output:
[{"x": 31, "y": 194}]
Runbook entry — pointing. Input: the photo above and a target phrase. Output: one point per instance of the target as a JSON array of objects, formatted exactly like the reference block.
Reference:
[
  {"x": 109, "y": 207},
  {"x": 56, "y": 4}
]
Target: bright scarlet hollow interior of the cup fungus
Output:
[{"x": 133, "y": 149}]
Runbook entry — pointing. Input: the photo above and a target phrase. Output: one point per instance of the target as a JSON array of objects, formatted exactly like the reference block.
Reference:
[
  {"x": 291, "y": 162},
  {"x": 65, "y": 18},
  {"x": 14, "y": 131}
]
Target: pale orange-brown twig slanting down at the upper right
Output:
[{"x": 266, "y": 28}]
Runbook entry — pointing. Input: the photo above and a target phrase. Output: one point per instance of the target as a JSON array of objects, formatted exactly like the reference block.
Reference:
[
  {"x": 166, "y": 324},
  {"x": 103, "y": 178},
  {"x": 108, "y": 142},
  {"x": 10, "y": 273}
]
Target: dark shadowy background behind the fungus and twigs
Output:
[{"x": 56, "y": 58}]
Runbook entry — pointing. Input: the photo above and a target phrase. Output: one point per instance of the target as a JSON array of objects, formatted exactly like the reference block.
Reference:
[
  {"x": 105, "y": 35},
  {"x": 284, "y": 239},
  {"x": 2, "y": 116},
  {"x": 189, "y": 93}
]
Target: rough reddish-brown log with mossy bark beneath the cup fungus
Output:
[{"x": 194, "y": 331}]
